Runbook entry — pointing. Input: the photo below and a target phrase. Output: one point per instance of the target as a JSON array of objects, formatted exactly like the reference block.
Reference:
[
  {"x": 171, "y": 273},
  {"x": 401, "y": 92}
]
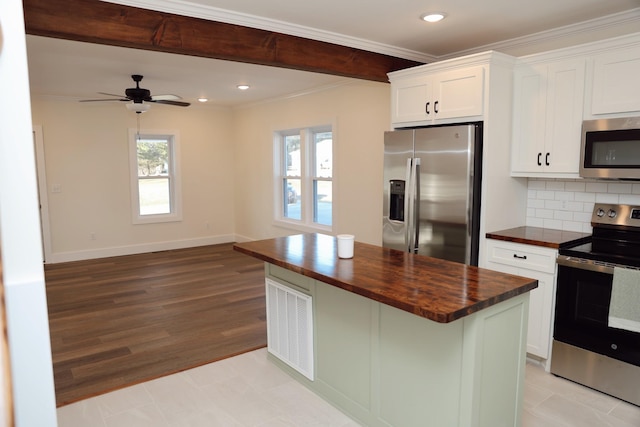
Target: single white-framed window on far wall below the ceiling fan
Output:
[{"x": 154, "y": 177}]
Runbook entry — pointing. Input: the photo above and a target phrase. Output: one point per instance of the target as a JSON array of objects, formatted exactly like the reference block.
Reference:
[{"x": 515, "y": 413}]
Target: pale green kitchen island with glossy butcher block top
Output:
[{"x": 396, "y": 339}]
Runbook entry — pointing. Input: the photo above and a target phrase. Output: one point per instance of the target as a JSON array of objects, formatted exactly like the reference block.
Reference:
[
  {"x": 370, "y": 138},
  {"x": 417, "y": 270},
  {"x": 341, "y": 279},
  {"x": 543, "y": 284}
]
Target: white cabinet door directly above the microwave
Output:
[{"x": 616, "y": 87}]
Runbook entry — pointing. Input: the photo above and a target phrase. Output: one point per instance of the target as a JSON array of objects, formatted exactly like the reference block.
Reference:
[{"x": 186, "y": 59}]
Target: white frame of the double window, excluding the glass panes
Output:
[{"x": 308, "y": 176}]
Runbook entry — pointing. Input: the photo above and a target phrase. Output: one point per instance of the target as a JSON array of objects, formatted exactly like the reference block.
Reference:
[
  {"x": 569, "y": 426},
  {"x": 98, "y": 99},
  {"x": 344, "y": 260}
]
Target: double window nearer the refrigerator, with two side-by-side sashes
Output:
[{"x": 304, "y": 177}]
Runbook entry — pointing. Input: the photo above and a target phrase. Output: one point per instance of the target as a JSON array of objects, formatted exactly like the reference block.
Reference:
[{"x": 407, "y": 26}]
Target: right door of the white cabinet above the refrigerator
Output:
[{"x": 459, "y": 93}]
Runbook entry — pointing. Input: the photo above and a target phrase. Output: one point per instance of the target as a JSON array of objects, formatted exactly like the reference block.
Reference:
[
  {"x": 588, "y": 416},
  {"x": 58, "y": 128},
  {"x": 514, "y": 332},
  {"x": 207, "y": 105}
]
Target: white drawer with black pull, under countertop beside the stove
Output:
[{"x": 522, "y": 256}]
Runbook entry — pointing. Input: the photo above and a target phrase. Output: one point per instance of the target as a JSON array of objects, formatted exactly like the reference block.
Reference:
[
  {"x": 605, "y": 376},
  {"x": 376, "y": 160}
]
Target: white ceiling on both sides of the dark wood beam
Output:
[{"x": 60, "y": 68}]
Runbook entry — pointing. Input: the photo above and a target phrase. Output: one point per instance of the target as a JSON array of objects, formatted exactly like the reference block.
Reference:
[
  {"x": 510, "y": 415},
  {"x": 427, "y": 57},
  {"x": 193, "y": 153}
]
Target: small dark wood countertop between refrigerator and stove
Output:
[{"x": 540, "y": 237}]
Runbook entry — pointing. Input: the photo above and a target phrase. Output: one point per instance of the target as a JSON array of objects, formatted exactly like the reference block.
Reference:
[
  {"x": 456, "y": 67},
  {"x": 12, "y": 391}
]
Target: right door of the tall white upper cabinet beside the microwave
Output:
[{"x": 565, "y": 99}]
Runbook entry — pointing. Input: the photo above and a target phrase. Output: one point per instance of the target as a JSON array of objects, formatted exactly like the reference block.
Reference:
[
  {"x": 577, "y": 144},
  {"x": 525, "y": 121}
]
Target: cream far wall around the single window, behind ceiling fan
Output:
[{"x": 87, "y": 156}]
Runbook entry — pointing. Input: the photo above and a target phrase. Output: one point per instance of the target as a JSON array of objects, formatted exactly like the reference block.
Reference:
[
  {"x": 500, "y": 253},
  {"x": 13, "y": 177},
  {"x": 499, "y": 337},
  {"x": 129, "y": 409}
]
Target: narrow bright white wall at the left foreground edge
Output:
[{"x": 23, "y": 276}]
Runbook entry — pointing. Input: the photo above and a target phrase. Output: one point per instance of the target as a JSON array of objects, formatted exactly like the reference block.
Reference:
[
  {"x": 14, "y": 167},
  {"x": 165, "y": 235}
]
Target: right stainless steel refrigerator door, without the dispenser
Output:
[{"x": 445, "y": 201}]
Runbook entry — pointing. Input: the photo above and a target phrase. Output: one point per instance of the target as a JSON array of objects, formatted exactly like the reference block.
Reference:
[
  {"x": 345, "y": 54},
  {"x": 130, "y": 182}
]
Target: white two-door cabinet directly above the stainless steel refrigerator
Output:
[{"x": 430, "y": 98}]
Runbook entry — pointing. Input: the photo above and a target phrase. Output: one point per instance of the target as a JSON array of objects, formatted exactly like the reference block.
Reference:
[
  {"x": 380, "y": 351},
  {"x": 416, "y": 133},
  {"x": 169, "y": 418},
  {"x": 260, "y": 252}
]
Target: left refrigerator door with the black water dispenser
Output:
[{"x": 398, "y": 151}]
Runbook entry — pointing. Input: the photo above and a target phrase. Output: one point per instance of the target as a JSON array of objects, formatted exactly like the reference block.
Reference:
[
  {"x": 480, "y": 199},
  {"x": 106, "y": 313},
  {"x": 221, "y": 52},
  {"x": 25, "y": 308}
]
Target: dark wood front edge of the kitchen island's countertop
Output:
[{"x": 436, "y": 317}]
